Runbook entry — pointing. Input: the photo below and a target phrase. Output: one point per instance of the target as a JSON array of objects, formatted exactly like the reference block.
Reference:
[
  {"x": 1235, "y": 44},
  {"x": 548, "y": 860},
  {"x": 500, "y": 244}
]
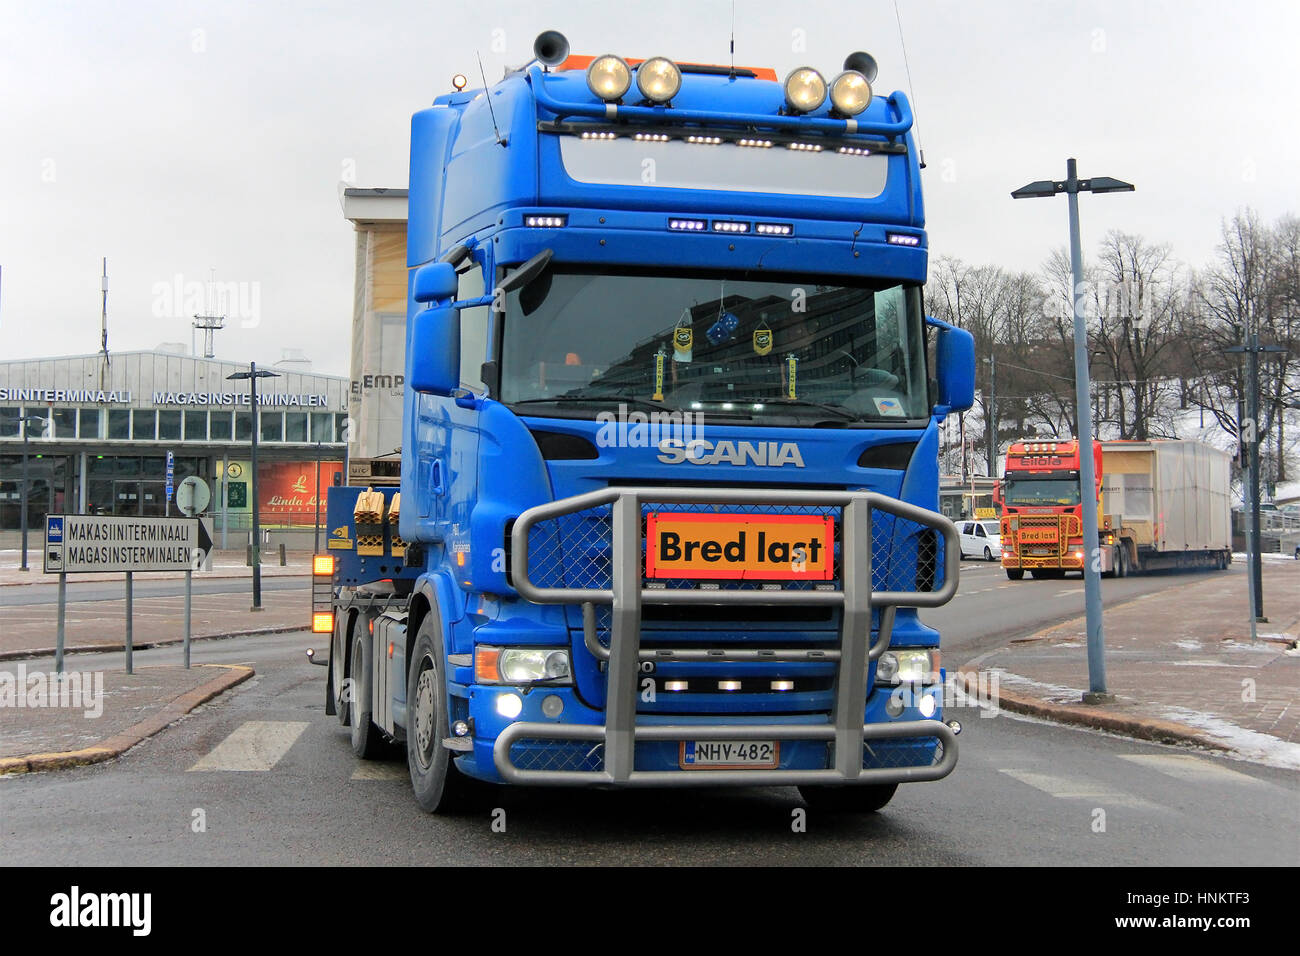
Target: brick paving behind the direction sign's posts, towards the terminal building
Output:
[{"x": 31, "y": 630}]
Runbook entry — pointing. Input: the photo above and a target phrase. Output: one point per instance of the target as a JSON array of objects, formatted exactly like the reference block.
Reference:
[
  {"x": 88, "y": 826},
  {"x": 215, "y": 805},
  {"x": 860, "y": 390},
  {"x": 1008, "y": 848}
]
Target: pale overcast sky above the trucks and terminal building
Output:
[{"x": 181, "y": 139}]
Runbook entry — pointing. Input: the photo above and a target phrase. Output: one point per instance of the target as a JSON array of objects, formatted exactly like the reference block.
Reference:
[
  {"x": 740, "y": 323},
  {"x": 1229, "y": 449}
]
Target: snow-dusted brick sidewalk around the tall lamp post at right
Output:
[{"x": 1180, "y": 664}]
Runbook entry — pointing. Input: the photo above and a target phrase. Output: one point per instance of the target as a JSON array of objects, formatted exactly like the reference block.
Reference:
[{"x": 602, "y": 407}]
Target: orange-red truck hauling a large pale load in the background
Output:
[{"x": 1162, "y": 504}]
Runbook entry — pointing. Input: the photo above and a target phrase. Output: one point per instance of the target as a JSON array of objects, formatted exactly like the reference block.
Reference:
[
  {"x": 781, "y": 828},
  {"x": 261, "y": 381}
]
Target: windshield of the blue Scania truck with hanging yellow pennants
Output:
[{"x": 769, "y": 351}]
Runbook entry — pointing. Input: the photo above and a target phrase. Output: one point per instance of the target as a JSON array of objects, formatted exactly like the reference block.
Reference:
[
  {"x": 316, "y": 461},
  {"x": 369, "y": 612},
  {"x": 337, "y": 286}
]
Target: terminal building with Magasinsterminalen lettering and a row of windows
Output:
[{"x": 98, "y": 436}]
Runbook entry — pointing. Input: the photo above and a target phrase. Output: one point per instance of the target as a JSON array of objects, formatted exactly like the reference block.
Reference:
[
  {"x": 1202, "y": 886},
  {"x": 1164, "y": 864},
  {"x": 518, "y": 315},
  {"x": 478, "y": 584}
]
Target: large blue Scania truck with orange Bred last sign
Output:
[{"x": 669, "y": 477}]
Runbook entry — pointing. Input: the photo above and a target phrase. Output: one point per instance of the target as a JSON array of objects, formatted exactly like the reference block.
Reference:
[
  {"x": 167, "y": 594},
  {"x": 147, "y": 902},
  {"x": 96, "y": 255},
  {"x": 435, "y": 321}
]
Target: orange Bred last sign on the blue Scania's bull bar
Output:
[{"x": 740, "y": 547}]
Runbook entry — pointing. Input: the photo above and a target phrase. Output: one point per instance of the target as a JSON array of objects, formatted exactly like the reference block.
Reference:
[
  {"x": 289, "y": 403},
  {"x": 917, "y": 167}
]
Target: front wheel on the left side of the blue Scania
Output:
[{"x": 439, "y": 786}]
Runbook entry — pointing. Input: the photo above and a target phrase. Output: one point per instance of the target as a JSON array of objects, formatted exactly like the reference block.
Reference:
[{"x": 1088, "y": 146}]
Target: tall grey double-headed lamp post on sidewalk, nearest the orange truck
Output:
[{"x": 1073, "y": 187}]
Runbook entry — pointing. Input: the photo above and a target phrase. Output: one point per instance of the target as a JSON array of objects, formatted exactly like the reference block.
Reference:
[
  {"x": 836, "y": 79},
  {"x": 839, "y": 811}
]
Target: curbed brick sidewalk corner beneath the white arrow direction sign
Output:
[{"x": 94, "y": 716}]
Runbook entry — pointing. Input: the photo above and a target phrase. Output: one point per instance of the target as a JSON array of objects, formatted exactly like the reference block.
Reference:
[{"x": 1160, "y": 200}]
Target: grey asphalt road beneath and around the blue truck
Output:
[{"x": 1024, "y": 793}]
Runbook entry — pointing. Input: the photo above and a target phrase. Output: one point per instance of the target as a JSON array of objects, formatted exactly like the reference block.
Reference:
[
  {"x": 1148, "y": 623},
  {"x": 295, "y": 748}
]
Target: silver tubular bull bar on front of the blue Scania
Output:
[{"x": 856, "y": 598}]
